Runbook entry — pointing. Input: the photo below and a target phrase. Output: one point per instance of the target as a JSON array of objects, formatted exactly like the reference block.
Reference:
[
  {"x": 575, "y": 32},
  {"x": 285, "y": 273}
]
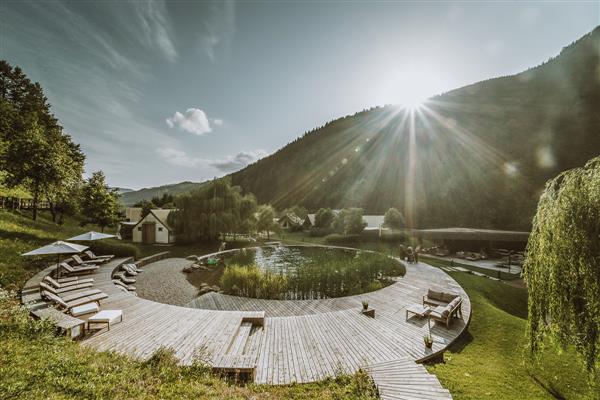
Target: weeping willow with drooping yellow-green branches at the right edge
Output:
[{"x": 562, "y": 267}]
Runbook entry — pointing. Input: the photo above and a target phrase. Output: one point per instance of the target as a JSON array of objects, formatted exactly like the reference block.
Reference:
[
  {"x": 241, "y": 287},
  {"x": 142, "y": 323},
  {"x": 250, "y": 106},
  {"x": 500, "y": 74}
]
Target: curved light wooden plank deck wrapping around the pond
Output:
[{"x": 280, "y": 342}]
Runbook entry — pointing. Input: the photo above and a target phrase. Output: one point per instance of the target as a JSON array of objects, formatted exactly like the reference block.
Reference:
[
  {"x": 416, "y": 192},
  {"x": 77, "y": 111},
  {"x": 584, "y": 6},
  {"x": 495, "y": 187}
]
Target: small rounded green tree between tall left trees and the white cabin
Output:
[{"x": 99, "y": 203}]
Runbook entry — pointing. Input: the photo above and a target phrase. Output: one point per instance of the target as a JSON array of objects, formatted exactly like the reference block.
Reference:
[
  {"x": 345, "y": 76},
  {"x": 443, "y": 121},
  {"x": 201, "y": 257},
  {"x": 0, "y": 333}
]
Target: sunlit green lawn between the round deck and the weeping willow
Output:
[{"x": 491, "y": 361}]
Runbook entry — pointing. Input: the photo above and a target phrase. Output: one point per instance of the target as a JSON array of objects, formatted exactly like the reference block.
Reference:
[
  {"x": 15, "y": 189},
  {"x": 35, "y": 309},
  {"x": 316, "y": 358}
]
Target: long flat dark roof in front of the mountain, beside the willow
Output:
[{"x": 474, "y": 234}]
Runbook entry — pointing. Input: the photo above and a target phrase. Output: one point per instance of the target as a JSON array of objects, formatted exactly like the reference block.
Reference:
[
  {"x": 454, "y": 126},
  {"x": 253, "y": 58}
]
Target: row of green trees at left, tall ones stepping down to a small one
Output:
[{"x": 37, "y": 155}]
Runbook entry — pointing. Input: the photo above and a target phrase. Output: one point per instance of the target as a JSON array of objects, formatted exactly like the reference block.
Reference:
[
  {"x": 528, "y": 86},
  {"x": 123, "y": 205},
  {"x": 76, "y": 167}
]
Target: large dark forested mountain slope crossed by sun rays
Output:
[{"x": 476, "y": 156}]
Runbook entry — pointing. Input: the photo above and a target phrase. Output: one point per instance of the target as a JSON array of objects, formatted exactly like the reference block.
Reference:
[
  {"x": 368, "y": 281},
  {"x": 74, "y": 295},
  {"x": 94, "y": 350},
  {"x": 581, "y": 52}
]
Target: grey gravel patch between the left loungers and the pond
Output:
[{"x": 165, "y": 282}]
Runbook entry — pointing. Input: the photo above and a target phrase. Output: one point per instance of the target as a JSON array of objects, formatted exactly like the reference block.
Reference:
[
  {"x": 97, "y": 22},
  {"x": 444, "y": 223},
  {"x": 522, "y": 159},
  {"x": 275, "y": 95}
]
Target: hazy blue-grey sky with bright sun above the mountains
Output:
[{"x": 161, "y": 92}]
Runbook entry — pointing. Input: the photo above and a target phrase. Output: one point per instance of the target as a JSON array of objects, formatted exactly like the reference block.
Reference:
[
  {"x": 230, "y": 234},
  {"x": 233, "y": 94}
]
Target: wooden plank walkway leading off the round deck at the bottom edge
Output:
[{"x": 403, "y": 379}]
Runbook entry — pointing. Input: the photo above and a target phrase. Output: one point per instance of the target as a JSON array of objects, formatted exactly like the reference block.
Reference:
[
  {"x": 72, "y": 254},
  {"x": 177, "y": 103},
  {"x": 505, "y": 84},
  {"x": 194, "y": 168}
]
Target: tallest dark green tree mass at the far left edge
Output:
[{"x": 34, "y": 152}]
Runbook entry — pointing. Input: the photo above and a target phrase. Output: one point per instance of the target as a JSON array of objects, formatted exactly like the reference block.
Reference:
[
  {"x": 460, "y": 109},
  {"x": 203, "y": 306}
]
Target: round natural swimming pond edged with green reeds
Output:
[{"x": 298, "y": 272}]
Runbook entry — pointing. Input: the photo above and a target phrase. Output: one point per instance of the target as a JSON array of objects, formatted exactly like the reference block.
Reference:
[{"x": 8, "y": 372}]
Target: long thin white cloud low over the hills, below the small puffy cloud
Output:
[{"x": 224, "y": 165}]
